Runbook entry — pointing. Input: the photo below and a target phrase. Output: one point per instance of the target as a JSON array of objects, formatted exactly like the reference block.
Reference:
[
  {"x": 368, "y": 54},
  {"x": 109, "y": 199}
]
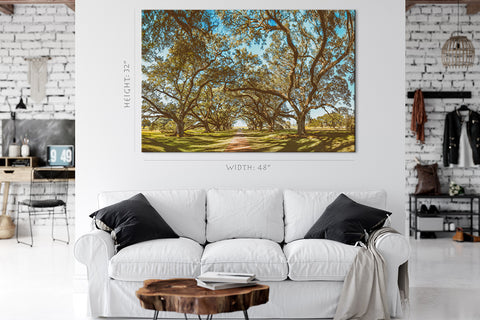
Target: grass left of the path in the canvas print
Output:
[{"x": 193, "y": 141}]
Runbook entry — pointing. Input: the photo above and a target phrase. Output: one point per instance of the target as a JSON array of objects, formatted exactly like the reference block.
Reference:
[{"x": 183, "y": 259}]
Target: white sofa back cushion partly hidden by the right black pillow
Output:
[{"x": 303, "y": 208}]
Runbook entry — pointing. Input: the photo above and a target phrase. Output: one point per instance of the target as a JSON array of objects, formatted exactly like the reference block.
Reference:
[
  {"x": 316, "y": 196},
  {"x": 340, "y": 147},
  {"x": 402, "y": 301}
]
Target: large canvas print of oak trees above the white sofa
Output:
[{"x": 248, "y": 81}]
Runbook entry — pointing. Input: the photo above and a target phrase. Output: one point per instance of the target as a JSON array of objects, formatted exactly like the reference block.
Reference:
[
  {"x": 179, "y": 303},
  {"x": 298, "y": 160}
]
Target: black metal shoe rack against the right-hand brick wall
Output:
[{"x": 415, "y": 214}]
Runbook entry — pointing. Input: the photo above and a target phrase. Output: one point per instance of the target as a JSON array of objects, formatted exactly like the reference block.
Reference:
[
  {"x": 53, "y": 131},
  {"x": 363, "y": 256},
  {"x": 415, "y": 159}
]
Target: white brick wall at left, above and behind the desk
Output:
[{"x": 38, "y": 30}]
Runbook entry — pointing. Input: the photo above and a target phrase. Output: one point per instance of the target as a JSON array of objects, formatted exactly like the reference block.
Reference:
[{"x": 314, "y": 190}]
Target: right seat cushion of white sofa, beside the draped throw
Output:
[{"x": 319, "y": 259}]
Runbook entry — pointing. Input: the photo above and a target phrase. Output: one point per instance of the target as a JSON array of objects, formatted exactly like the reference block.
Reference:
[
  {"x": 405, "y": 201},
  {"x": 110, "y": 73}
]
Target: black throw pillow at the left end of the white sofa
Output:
[{"x": 132, "y": 221}]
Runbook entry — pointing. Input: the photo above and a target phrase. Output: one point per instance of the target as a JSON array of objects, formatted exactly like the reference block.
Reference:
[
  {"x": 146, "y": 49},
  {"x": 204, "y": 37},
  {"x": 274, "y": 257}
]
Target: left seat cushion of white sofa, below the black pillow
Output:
[{"x": 157, "y": 259}]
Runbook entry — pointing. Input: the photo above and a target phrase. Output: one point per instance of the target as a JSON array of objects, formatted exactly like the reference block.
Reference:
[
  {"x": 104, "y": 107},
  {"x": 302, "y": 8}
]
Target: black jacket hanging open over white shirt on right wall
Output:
[{"x": 451, "y": 137}]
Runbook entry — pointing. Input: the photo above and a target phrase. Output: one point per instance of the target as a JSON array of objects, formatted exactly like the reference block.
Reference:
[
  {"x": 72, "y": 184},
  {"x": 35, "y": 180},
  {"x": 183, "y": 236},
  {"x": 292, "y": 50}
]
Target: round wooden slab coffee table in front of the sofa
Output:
[{"x": 184, "y": 296}]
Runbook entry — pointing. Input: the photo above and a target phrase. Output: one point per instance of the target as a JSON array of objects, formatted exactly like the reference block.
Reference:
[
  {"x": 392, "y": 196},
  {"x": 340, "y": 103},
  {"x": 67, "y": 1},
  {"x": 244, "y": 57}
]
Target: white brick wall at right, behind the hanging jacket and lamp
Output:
[{"x": 427, "y": 29}]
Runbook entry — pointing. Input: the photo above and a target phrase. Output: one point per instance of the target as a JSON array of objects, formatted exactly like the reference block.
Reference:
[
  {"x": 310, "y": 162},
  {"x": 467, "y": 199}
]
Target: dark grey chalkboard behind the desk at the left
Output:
[{"x": 41, "y": 134}]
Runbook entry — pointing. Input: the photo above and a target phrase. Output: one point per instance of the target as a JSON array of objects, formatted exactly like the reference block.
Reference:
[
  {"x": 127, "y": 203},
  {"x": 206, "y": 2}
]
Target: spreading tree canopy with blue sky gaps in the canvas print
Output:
[{"x": 263, "y": 66}]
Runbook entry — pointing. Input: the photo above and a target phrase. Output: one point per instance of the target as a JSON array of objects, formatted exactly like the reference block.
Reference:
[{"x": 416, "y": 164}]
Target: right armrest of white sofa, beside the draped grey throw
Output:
[{"x": 395, "y": 250}]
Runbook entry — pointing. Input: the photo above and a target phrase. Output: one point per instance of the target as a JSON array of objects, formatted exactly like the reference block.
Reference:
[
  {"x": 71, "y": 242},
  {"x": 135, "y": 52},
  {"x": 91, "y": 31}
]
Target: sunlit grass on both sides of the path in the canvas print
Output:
[{"x": 316, "y": 140}]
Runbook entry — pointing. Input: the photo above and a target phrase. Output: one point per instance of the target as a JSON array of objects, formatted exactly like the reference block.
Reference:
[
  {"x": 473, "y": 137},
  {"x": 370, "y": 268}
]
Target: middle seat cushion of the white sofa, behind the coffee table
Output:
[{"x": 262, "y": 257}]
